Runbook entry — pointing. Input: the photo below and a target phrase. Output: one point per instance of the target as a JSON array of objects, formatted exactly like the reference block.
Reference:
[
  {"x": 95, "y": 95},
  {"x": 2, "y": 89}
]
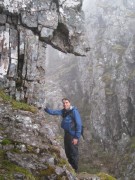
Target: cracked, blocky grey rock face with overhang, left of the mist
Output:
[{"x": 25, "y": 28}]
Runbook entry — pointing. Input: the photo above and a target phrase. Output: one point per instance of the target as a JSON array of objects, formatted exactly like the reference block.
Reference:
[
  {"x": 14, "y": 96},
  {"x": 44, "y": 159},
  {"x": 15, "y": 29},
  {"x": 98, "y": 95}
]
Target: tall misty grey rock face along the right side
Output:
[{"x": 111, "y": 66}]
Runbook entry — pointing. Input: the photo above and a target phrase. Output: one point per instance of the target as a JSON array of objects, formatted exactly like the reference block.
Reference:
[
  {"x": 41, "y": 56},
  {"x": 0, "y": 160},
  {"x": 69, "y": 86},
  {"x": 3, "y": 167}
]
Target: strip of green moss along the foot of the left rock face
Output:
[{"x": 17, "y": 104}]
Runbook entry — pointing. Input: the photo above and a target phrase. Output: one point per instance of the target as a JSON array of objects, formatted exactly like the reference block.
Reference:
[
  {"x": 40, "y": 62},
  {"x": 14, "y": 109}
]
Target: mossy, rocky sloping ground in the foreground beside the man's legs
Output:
[{"x": 30, "y": 145}]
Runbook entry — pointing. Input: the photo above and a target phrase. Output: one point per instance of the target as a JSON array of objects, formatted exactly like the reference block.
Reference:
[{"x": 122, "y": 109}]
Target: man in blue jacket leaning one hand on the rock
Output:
[{"x": 72, "y": 125}]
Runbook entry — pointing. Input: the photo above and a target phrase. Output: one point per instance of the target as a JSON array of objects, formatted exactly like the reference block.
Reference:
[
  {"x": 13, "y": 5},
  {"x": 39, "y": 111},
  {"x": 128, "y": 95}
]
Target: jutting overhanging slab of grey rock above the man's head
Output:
[{"x": 63, "y": 18}]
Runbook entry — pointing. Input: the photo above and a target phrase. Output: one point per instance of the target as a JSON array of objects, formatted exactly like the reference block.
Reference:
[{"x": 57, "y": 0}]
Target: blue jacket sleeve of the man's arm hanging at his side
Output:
[{"x": 78, "y": 124}]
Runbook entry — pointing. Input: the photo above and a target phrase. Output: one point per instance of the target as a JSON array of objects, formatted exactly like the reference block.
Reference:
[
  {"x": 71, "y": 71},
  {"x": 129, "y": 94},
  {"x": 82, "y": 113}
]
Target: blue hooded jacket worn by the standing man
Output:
[{"x": 72, "y": 123}]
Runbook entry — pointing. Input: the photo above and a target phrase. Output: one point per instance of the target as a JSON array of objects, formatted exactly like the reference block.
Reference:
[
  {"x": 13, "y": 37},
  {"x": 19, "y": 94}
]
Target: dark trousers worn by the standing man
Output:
[{"x": 71, "y": 151}]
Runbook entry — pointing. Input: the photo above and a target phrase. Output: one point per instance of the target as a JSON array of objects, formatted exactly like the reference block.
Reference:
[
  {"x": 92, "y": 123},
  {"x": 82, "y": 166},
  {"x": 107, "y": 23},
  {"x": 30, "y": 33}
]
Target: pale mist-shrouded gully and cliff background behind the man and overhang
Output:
[{"x": 101, "y": 85}]
